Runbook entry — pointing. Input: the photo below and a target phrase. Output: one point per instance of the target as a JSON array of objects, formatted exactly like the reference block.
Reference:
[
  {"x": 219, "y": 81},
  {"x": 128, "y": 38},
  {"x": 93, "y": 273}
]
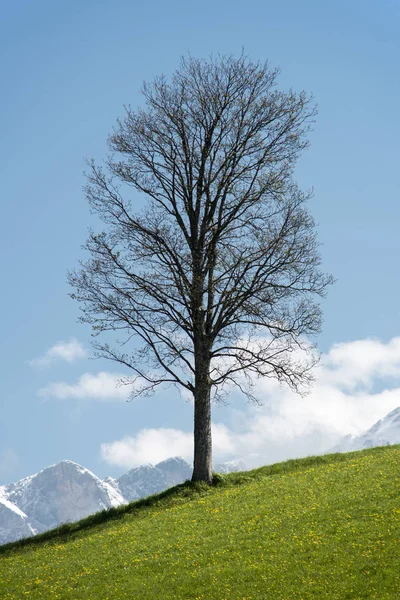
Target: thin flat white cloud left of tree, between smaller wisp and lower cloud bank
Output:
[{"x": 101, "y": 386}]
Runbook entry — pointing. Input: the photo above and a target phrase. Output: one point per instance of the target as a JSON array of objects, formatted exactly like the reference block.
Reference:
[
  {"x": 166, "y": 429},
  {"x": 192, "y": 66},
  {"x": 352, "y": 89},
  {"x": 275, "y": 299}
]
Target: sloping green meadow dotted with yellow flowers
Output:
[{"x": 323, "y": 528}]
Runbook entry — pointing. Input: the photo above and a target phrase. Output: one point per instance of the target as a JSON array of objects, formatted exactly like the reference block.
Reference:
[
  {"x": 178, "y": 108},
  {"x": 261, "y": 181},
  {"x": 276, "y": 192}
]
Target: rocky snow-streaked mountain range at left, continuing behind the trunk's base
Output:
[{"x": 68, "y": 492}]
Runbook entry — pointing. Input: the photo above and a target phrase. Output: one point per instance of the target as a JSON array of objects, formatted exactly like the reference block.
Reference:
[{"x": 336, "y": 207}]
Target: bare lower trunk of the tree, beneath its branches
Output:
[{"x": 202, "y": 468}]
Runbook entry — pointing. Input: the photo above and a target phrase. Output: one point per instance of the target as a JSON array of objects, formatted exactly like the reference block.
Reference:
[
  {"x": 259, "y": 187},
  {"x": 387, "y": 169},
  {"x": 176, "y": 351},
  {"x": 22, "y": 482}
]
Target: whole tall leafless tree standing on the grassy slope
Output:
[{"x": 217, "y": 273}]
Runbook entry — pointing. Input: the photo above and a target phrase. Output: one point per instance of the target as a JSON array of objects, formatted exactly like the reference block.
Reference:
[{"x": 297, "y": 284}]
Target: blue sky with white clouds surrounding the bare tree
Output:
[{"x": 67, "y": 69}]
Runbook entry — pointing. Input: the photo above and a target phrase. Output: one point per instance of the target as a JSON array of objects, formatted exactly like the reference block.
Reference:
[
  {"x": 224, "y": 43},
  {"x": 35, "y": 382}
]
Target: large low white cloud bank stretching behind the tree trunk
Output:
[{"x": 287, "y": 425}]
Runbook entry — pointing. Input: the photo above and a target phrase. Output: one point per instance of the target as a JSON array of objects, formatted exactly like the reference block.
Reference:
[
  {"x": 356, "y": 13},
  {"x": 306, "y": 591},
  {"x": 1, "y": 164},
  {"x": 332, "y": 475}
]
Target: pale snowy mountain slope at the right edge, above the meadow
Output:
[{"x": 383, "y": 433}]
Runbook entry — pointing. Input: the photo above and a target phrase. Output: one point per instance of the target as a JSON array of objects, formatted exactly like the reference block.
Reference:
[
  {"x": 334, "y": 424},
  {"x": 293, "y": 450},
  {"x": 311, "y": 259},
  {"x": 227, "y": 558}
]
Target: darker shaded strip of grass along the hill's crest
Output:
[{"x": 185, "y": 491}]
